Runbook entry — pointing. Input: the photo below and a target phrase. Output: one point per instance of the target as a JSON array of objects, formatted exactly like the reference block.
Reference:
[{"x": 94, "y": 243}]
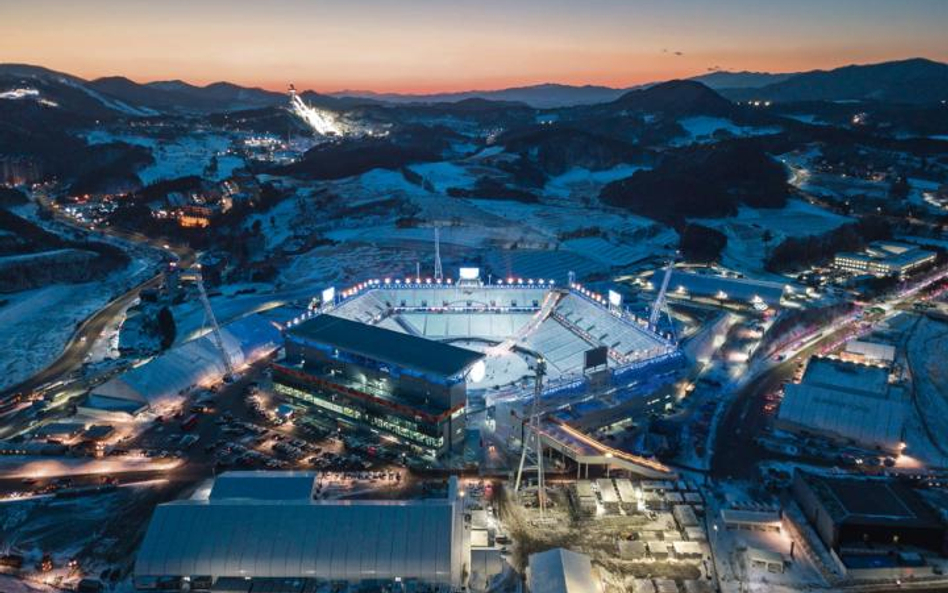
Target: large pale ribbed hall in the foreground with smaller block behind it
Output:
[{"x": 247, "y": 533}]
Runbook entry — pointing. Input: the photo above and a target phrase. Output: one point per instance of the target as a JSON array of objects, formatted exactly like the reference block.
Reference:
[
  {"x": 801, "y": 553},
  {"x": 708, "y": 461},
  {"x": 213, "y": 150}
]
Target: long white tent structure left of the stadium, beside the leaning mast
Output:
[{"x": 167, "y": 377}]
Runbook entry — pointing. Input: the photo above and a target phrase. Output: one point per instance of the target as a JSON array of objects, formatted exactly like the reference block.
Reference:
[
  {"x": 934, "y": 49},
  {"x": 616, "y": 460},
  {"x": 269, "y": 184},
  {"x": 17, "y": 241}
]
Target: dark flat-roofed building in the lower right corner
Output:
[{"x": 860, "y": 512}]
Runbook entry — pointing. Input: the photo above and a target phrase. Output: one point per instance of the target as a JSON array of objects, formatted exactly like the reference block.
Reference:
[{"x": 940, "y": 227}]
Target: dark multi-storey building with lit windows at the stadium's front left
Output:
[{"x": 367, "y": 376}]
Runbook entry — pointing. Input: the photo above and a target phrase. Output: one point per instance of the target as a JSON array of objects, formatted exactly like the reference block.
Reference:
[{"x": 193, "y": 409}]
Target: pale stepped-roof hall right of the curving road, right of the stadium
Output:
[{"x": 848, "y": 402}]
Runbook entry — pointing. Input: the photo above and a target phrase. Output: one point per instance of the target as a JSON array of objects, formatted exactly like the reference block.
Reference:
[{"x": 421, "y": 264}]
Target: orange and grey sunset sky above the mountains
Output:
[{"x": 447, "y": 45}]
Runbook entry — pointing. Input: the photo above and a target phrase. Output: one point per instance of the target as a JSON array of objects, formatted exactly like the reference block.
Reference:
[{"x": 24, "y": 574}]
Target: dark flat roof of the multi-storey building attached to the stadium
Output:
[{"x": 385, "y": 345}]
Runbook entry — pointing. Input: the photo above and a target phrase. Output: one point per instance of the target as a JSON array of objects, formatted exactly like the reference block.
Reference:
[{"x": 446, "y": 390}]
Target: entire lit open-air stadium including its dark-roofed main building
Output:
[{"x": 411, "y": 358}]
